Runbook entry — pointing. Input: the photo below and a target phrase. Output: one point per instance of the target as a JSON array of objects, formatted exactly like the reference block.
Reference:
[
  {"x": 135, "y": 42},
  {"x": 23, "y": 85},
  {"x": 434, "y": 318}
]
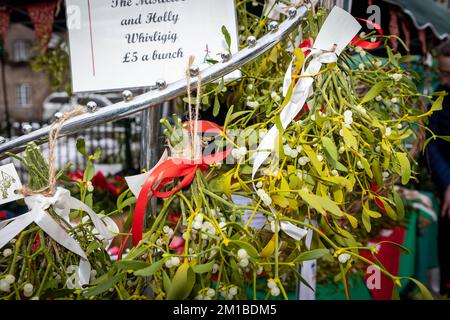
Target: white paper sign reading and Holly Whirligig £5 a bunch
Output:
[{"x": 117, "y": 44}]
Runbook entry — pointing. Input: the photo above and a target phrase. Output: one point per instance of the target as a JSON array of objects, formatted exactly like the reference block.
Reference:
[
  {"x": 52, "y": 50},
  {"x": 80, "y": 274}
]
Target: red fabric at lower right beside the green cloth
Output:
[{"x": 389, "y": 256}]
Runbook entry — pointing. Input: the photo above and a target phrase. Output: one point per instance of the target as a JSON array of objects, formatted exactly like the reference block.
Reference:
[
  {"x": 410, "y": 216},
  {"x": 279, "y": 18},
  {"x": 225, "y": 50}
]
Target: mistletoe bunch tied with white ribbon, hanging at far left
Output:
[{"x": 58, "y": 246}]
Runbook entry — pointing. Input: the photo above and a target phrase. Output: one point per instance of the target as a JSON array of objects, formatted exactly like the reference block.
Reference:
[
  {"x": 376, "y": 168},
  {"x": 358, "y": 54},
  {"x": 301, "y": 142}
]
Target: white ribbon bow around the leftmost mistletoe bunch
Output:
[{"x": 62, "y": 202}]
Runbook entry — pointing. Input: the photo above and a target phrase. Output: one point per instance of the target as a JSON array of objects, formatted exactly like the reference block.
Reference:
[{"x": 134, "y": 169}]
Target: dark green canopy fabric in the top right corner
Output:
[{"x": 426, "y": 13}]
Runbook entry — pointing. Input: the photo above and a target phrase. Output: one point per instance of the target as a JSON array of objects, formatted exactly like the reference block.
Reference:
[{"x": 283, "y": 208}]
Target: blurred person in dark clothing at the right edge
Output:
[{"x": 439, "y": 160}]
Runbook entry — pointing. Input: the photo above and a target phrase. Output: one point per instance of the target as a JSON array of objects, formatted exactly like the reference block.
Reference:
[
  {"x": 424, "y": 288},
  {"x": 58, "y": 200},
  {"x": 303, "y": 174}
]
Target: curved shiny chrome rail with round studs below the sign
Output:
[{"x": 126, "y": 108}]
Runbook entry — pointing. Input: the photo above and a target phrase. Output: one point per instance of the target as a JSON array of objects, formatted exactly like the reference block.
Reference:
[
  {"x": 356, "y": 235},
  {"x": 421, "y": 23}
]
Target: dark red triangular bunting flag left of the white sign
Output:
[{"x": 43, "y": 15}]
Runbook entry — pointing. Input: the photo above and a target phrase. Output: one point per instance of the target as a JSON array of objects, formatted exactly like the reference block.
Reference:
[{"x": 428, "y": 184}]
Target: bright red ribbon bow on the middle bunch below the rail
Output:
[{"x": 167, "y": 171}]
